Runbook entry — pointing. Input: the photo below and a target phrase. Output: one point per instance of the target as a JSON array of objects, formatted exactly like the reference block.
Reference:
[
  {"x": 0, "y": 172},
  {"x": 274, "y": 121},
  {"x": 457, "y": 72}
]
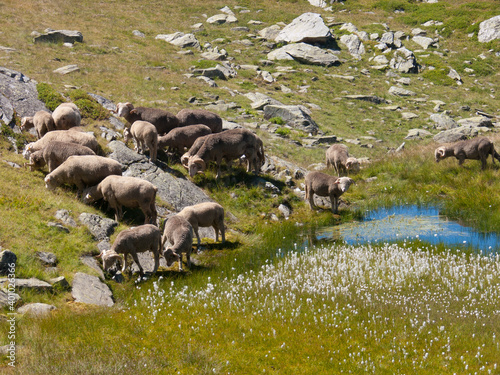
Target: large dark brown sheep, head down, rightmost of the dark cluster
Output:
[{"x": 228, "y": 145}]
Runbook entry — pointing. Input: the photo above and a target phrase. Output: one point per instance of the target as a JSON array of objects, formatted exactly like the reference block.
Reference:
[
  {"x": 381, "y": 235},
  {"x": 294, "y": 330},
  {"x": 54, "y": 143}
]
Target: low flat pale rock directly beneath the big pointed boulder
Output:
[{"x": 304, "y": 53}]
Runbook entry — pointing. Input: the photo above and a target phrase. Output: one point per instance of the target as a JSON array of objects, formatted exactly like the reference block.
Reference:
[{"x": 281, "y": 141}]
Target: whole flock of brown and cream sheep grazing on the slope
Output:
[{"x": 74, "y": 157}]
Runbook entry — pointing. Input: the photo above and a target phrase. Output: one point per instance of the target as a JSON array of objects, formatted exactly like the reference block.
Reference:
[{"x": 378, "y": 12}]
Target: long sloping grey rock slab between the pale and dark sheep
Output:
[{"x": 179, "y": 192}]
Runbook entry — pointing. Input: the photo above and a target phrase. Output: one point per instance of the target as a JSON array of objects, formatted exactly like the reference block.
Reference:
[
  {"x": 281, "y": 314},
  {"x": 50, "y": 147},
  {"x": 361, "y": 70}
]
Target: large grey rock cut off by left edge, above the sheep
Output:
[{"x": 17, "y": 93}]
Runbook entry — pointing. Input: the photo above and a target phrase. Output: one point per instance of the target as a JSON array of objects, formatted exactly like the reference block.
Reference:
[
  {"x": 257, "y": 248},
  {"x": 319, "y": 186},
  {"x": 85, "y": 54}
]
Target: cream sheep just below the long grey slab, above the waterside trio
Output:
[{"x": 125, "y": 191}]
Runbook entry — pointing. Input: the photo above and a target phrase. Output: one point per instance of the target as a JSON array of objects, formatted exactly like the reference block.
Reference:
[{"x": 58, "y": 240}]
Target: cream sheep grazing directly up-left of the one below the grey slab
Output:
[{"x": 82, "y": 171}]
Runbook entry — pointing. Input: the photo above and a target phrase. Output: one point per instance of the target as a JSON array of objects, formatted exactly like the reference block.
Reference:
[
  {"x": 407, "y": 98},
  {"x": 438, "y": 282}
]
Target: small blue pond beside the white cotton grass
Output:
[{"x": 411, "y": 223}]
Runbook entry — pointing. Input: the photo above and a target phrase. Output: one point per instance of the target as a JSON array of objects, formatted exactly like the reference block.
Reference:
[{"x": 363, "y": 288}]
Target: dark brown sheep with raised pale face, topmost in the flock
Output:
[{"x": 163, "y": 120}]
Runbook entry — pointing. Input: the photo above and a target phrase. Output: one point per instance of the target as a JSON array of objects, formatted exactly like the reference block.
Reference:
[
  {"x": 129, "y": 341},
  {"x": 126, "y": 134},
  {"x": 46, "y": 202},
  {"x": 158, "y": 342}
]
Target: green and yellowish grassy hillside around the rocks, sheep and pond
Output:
[{"x": 171, "y": 324}]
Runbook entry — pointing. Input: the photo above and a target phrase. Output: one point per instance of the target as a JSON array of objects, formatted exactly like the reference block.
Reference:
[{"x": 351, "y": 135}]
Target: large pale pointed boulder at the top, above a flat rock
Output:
[{"x": 307, "y": 28}]
